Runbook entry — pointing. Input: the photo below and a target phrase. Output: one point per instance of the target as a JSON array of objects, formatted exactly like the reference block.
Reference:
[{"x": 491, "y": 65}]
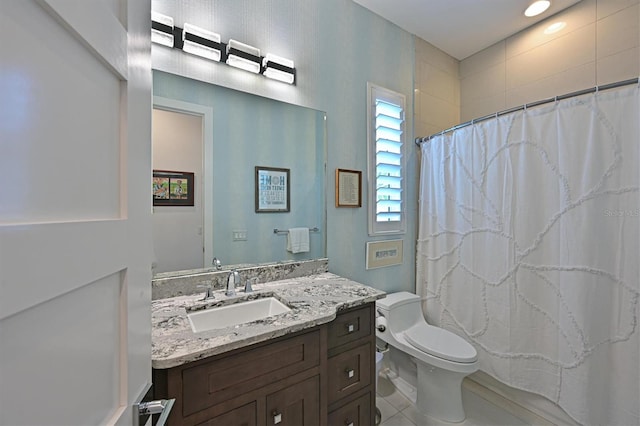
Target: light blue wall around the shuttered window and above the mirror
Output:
[{"x": 338, "y": 47}]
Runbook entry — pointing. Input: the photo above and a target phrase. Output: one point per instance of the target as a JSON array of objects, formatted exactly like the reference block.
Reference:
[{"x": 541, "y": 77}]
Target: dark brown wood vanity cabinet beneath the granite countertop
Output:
[{"x": 316, "y": 377}]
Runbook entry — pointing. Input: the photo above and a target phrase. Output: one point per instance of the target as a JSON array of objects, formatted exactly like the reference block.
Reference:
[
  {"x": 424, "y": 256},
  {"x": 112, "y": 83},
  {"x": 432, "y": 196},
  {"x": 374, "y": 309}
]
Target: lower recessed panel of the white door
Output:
[{"x": 52, "y": 356}]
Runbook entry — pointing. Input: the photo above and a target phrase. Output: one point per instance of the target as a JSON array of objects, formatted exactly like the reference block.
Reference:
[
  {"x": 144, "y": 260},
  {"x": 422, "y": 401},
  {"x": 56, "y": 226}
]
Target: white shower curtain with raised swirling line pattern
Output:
[{"x": 528, "y": 247}]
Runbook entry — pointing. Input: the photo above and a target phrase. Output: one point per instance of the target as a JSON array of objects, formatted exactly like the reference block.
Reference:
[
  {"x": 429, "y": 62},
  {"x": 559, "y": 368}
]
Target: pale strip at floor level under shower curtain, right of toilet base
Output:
[{"x": 531, "y": 408}]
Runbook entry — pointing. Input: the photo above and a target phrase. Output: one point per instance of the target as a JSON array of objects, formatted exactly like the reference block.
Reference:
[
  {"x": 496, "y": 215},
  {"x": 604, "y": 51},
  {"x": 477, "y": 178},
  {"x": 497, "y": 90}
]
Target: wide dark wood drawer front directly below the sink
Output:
[{"x": 211, "y": 383}]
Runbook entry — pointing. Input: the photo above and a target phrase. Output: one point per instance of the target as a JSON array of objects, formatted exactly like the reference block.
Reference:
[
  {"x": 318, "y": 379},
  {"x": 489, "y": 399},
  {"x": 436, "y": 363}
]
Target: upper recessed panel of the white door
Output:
[{"x": 68, "y": 108}]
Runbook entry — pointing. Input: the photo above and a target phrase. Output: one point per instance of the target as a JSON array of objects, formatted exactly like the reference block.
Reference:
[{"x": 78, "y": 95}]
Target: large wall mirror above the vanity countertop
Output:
[{"x": 222, "y": 135}]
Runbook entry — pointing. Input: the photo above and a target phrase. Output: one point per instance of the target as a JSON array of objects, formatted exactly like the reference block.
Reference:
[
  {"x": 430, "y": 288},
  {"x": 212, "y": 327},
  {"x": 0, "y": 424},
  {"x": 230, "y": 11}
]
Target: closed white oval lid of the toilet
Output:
[{"x": 441, "y": 343}]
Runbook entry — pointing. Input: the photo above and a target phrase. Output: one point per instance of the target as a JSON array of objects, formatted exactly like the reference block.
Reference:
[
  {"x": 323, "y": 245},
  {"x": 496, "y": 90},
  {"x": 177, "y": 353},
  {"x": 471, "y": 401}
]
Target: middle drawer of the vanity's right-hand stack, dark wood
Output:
[{"x": 349, "y": 372}]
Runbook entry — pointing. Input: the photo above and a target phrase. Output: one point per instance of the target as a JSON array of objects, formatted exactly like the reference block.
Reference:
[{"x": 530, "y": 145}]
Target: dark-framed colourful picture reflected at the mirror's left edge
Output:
[{"x": 172, "y": 188}]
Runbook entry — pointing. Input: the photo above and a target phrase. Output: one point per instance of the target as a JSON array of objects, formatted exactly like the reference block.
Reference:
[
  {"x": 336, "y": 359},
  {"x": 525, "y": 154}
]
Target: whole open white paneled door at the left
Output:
[{"x": 75, "y": 206}]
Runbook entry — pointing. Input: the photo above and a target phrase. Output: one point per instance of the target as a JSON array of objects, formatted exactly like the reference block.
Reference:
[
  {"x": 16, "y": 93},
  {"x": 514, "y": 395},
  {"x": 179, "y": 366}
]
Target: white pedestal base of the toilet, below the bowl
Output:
[{"x": 439, "y": 393}]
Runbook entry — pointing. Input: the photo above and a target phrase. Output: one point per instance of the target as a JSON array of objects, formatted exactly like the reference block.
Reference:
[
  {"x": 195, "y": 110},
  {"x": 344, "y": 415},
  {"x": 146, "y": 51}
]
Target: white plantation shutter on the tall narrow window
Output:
[{"x": 386, "y": 161}]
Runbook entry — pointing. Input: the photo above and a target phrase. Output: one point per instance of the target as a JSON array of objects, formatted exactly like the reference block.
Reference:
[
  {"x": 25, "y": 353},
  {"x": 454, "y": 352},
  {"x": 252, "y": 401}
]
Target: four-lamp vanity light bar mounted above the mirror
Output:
[{"x": 207, "y": 44}]
